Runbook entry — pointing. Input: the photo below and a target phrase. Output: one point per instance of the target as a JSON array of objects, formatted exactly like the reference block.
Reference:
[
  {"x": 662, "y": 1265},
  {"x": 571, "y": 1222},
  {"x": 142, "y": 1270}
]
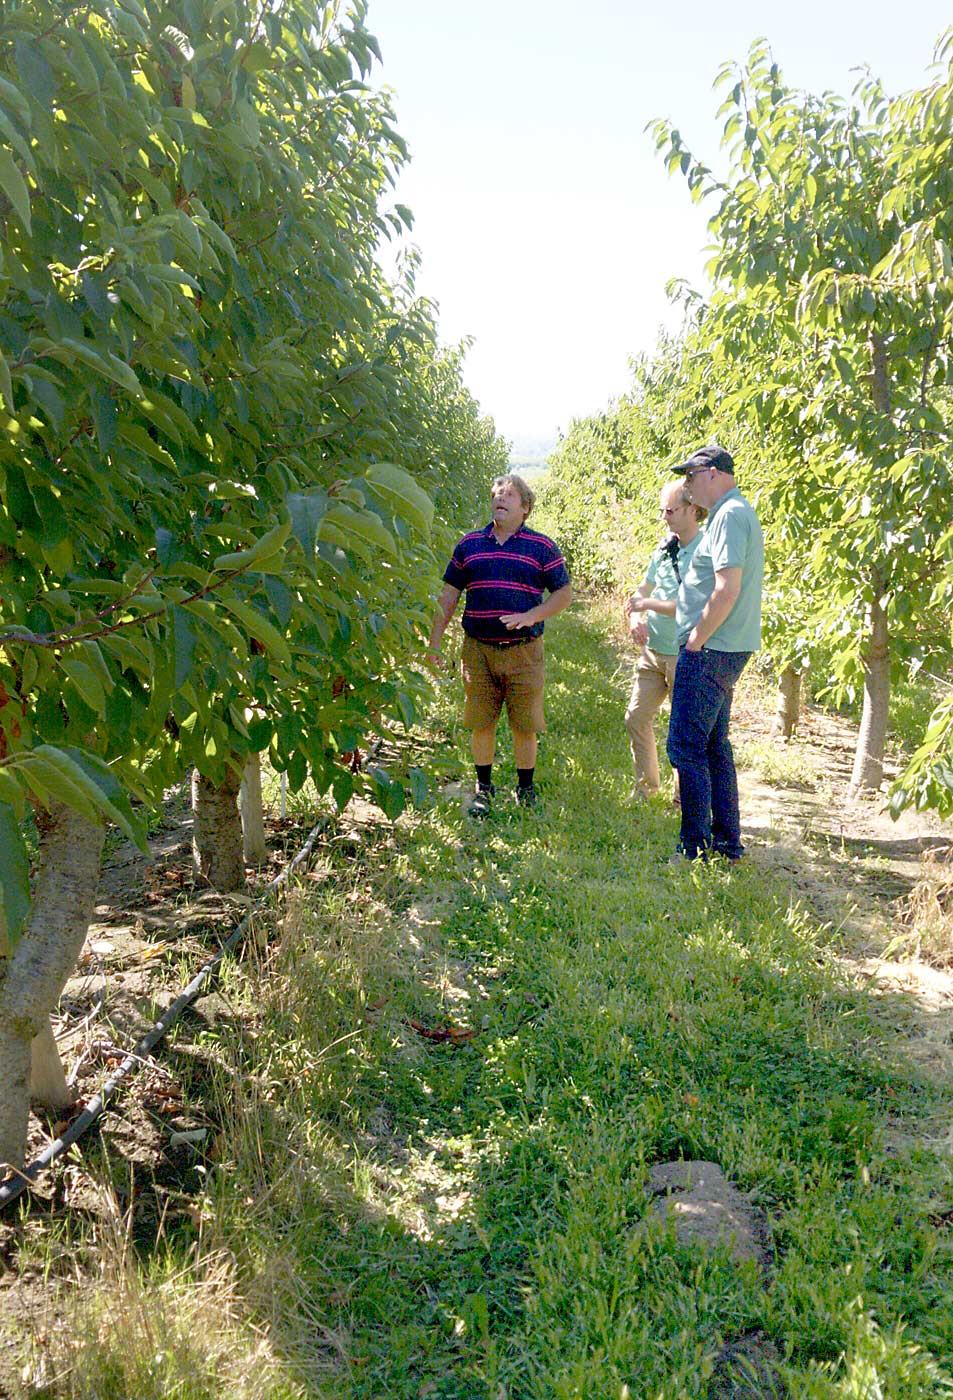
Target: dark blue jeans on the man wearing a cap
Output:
[{"x": 699, "y": 748}]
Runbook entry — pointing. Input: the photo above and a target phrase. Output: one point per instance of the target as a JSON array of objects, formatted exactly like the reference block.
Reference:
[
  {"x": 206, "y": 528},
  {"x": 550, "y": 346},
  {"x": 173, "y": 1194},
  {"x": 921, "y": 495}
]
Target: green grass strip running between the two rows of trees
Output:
[{"x": 397, "y": 1216}]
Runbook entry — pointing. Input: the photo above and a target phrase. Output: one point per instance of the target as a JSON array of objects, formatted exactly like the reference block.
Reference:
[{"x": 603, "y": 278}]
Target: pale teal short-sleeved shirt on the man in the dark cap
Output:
[{"x": 733, "y": 541}]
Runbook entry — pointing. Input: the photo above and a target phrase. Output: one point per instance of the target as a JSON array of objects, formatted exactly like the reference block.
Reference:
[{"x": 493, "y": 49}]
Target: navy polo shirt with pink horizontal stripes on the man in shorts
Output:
[{"x": 503, "y": 579}]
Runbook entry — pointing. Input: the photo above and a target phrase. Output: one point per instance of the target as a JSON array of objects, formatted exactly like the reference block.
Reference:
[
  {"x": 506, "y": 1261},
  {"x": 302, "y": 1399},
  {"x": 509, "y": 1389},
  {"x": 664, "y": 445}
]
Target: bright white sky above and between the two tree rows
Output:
[{"x": 546, "y": 223}]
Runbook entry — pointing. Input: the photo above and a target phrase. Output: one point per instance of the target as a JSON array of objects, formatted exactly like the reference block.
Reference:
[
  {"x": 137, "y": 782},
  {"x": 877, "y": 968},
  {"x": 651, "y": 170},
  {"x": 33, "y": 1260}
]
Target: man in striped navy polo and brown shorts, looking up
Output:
[{"x": 506, "y": 572}]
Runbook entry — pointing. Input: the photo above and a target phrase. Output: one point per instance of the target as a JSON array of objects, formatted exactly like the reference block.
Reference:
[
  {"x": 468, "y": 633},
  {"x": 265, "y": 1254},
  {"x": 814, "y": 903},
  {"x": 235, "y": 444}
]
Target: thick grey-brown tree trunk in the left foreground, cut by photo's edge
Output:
[{"x": 71, "y": 848}]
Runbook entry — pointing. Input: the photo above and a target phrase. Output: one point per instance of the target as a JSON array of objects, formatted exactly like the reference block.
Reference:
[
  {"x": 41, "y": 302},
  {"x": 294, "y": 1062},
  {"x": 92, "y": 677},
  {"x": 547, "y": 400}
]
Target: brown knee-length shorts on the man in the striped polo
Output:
[{"x": 495, "y": 677}]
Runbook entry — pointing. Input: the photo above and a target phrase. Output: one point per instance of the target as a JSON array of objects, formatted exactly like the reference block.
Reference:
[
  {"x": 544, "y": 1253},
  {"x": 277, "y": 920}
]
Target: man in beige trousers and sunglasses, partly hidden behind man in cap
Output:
[{"x": 651, "y": 619}]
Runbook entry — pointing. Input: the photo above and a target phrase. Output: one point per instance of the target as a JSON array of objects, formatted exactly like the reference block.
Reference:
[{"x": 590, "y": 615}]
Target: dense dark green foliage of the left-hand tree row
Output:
[{"x": 222, "y": 426}]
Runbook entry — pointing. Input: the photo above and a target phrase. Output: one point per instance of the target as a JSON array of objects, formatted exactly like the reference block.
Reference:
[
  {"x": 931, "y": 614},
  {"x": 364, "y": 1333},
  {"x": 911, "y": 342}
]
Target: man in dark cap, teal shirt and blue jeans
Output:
[{"x": 719, "y": 626}]
